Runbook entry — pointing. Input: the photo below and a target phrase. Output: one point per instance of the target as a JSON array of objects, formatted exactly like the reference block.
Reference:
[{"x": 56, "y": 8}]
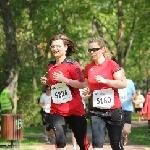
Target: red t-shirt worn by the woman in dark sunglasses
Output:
[{"x": 106, "y": 70}]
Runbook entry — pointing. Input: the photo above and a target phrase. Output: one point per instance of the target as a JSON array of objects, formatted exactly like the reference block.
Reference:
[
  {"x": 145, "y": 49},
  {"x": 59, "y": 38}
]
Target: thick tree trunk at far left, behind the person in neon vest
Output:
[{"x": 12, "y": 69}]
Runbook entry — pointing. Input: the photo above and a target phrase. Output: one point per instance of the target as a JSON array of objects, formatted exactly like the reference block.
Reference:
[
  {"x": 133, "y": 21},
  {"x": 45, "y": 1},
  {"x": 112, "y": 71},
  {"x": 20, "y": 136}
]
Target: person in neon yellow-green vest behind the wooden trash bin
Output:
[{"x": 6, "y": 101}]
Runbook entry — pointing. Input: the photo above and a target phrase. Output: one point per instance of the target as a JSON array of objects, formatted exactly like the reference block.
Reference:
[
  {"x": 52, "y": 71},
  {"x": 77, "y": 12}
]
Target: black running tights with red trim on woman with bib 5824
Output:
[{"x": 78, "y": 125}]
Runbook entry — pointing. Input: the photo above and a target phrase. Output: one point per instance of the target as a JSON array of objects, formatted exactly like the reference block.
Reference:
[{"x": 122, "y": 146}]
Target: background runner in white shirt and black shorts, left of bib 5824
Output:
[{"x": 45, "y": 104}]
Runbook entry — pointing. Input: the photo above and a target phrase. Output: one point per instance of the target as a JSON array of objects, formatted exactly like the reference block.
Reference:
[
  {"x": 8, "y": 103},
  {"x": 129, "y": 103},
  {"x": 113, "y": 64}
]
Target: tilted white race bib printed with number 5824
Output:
[{"x": 60, "y": 93}]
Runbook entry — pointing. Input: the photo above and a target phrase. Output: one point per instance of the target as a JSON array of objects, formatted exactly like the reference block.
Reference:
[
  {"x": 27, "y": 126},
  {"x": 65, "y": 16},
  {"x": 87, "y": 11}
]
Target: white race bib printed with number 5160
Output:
[{"x": 103, "y": 99}]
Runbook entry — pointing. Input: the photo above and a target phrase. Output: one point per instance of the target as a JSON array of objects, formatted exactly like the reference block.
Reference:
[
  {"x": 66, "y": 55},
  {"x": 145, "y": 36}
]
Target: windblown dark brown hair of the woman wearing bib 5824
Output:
[{"x": 67, "y": 41}]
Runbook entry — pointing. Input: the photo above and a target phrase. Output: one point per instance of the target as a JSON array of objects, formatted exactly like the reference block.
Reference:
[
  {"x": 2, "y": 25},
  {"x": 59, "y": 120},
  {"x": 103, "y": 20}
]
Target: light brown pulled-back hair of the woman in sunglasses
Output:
[{"x": 107, "y": 54}]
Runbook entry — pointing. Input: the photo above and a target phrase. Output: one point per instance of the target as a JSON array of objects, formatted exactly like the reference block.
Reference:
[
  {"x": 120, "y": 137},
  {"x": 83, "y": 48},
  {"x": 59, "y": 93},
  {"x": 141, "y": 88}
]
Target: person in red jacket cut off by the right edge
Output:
[{"x": 146, "y": 110}]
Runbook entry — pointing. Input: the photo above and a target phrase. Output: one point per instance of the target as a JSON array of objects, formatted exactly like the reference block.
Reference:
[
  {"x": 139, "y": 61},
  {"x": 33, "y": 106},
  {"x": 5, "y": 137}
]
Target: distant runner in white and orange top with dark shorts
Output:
[{"x": 138, "y": 103}]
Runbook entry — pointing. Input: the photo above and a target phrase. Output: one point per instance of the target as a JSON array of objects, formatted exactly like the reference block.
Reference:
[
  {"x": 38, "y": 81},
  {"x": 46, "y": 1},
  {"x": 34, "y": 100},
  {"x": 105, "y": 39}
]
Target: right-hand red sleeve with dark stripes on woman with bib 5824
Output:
[{"x": 76, "y": 72}]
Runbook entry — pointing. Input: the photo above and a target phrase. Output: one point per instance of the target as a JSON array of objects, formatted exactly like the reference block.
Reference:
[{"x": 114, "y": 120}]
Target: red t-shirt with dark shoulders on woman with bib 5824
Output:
[{"x": 71, "y": 70}]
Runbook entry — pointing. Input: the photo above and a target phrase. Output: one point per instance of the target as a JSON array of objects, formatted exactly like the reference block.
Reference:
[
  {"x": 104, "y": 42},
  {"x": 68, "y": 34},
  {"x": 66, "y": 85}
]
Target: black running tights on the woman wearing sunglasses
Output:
[{"x": 112, "y": 120}]
